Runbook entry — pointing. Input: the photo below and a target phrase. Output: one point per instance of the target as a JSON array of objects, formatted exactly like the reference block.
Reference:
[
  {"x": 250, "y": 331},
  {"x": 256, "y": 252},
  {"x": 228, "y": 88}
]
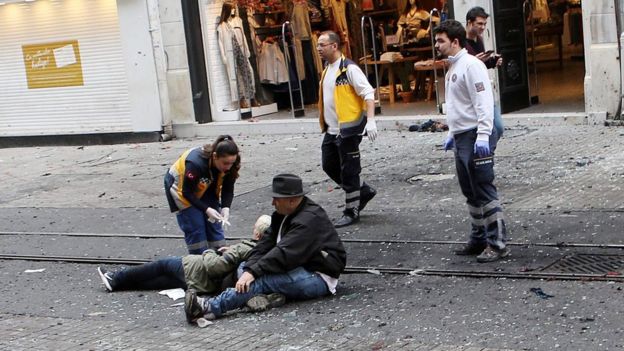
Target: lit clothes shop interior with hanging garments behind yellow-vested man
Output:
[{"x": 286, "y": 67}]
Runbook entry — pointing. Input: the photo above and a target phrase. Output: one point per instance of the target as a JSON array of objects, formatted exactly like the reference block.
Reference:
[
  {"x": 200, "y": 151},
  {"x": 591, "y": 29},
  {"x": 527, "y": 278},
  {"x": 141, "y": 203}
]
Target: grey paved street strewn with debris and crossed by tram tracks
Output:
[{"x": 558, "y": 184}]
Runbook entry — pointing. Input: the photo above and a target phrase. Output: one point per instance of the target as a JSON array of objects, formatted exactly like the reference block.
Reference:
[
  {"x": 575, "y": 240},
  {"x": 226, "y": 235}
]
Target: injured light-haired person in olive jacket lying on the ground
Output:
[{"x": 208, "y": 273}]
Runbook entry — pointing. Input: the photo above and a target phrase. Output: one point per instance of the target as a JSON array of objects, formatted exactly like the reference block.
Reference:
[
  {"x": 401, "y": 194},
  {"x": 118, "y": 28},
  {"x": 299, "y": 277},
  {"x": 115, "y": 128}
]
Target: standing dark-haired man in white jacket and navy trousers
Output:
[{"x": 469, "y": 114}]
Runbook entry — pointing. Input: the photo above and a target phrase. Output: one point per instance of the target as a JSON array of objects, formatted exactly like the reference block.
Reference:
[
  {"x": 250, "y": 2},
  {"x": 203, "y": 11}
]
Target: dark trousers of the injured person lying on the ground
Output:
[{"x": 164, "y": 273}]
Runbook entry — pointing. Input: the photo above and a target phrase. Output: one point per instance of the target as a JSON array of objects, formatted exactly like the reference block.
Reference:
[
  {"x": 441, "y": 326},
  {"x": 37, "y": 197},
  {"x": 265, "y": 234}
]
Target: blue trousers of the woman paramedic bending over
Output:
[{"x": 199, "y": 234}]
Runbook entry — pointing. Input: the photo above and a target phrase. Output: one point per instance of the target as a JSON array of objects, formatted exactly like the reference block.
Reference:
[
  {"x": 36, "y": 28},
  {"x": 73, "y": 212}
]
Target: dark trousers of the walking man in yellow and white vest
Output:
[{"x": 341, "y": 162}]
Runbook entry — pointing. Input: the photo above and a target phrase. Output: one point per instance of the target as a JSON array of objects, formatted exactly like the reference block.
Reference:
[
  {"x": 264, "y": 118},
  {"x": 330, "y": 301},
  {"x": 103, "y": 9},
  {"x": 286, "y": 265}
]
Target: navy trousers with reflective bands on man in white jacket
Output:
[{"x": 476, "y": 180}]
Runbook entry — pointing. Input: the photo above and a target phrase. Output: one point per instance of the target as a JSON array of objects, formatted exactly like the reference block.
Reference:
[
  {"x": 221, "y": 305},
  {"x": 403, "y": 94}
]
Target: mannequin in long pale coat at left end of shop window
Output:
[{"x": 235, "y": 55}]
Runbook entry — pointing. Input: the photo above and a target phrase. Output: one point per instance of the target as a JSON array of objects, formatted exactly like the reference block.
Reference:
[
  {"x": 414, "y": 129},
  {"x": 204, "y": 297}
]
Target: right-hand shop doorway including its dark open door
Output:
[{"x": 554, "y": 60}]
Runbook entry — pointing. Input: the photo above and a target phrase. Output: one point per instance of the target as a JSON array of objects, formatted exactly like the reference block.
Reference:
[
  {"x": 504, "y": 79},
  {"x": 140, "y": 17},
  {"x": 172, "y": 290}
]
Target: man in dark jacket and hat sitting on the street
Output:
[{"x": 302, "y": 256}]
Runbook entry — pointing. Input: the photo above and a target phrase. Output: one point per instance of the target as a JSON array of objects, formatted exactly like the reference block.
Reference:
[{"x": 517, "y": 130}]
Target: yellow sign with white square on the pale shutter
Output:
[{"x": 50, "y": 65}]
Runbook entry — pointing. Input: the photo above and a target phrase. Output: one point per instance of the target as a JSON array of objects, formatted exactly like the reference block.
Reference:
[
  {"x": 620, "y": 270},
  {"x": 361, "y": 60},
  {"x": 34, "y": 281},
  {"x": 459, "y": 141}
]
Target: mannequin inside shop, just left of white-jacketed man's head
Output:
[{"x": 413, "y": 23}]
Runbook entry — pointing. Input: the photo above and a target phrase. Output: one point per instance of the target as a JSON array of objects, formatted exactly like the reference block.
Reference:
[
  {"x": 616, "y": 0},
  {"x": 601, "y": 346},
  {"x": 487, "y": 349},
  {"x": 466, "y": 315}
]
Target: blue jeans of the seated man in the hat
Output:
[{"x": 298, "y": 284}]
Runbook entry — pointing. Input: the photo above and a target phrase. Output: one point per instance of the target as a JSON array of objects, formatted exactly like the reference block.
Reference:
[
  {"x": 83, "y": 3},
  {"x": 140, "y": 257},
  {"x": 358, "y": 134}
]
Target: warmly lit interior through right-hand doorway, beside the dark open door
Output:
[{"x": 555, "y": 56}]
